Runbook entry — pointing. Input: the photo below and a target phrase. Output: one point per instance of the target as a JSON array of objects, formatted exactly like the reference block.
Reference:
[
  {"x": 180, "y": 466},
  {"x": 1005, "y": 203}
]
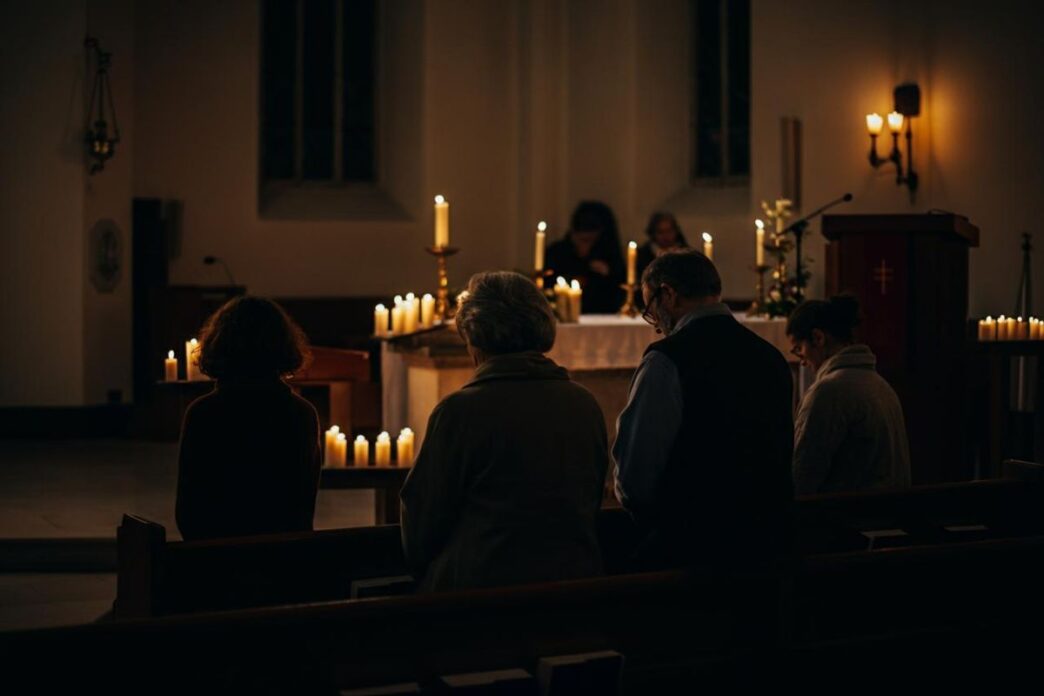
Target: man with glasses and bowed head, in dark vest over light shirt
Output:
[{"x": 704, "y": 446}]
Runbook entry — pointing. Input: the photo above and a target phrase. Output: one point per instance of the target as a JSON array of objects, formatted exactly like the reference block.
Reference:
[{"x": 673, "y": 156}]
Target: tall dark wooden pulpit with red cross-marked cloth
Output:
[{"x": 911, "y": 276}]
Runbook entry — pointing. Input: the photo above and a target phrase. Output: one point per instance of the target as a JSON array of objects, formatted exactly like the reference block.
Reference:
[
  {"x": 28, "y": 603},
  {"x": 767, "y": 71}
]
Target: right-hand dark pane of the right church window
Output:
[{"x": 740, "y": 87}]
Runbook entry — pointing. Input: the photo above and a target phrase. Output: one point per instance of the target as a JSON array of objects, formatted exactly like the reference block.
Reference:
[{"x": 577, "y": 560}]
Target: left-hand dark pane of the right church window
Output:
[{"x": 708, "y": 88}]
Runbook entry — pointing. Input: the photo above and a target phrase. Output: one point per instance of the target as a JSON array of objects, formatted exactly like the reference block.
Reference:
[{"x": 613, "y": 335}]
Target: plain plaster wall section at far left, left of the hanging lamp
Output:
[{"x": 42, "y": 204}]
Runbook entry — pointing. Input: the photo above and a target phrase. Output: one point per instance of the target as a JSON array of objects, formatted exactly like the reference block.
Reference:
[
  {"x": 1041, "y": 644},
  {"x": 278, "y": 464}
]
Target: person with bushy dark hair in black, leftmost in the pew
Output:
[{"x": 250, "y": 453}]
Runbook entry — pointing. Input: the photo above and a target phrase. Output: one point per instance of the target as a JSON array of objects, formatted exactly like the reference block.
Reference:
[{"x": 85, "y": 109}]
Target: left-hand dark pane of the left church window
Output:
[{"x": 277, "y": 82}]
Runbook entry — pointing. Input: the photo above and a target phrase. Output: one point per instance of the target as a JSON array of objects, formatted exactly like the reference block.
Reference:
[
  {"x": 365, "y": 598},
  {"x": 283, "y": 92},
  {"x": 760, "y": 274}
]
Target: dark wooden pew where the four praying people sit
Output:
[{"x": 157, "y": 579}]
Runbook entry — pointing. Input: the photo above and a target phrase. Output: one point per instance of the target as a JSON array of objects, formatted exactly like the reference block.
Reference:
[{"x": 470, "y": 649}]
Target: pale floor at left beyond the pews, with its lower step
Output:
[{"x": 78, "y": 490}]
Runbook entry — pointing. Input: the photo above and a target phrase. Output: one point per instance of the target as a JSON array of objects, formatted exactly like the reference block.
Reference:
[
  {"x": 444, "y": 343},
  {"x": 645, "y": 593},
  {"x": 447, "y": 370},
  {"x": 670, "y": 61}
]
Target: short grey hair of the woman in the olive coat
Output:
[{"x": 504, "y": 313}]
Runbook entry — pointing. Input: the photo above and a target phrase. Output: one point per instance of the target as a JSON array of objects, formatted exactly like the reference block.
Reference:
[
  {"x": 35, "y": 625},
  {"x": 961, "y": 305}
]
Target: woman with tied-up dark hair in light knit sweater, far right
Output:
[{"x": 850, "y": 434}]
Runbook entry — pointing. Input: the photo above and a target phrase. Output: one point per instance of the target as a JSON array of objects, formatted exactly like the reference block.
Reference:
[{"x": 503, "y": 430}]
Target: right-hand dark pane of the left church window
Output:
[{"x": 360, "y": 70}]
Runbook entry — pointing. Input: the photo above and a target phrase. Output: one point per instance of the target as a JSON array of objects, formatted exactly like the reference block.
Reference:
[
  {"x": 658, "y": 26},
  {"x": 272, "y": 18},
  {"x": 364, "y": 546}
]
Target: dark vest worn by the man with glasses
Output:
[{"x": 727, "y": 491}]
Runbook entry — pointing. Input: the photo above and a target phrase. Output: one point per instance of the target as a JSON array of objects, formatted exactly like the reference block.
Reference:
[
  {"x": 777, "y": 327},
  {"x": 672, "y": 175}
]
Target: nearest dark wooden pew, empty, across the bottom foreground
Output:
[{"x": 670, "y": 628}]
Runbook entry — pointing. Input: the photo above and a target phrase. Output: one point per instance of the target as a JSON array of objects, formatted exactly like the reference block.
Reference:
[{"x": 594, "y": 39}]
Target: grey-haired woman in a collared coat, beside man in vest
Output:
[{"x": 509, "y": 482}]
